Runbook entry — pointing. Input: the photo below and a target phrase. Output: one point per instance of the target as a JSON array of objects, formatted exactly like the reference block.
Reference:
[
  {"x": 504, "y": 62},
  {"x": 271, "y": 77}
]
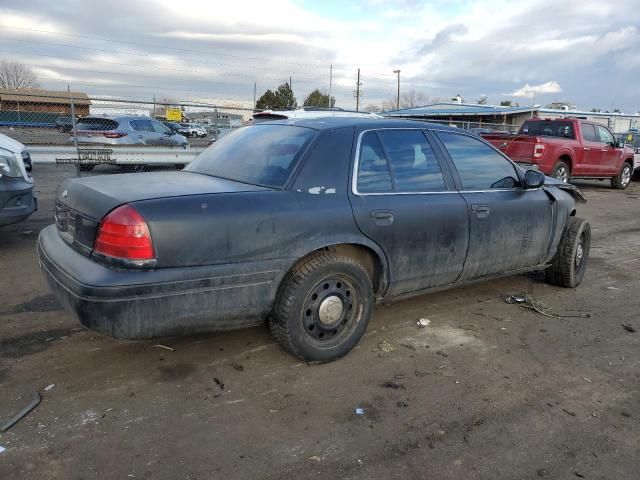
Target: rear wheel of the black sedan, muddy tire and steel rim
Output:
[{"x": 297, "y": 323}]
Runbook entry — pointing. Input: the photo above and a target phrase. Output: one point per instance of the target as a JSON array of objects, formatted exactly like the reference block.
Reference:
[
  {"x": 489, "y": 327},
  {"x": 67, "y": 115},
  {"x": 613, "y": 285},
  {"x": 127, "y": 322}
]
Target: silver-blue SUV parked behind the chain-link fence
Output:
[{"x": 127, "y": 130}]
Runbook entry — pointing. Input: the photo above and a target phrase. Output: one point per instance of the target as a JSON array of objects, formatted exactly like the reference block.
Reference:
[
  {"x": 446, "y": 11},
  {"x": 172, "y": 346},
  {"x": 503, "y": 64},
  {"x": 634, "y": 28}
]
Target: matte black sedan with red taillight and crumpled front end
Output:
[{"x": 307, "y": 223}]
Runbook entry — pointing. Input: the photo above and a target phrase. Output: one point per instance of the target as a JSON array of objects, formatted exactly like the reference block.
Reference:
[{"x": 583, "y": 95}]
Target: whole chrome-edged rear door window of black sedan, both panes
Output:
[{"x": 400, "y": 161}]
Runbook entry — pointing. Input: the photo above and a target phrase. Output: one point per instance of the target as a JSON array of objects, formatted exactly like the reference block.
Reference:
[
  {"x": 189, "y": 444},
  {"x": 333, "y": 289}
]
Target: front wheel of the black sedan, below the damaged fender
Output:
[{"x": 570, "y": 261}]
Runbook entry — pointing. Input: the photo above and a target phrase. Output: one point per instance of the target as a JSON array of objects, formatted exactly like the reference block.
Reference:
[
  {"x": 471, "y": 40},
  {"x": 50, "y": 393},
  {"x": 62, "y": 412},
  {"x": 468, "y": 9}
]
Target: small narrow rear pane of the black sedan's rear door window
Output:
[{"x": 373, "y": 171}]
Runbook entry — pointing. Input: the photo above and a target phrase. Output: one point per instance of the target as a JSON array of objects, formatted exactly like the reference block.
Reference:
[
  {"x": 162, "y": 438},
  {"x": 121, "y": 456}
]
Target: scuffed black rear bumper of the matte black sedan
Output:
[{"x": 166, "y": 301}]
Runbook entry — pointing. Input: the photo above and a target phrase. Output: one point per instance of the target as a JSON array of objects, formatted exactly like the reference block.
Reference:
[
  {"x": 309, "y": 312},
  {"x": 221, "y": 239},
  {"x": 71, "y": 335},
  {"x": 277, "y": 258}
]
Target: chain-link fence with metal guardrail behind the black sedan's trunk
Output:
[{"x": 96, "y": 135}]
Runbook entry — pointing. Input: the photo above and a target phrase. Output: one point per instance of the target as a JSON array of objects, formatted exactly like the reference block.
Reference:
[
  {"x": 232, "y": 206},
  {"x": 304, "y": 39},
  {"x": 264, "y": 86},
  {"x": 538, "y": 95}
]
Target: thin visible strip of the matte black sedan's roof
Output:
[{"x": 326, "y": 123}]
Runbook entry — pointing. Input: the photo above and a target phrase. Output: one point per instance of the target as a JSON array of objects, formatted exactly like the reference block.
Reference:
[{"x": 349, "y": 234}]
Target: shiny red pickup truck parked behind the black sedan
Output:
[{"x": 568, "y": 148}]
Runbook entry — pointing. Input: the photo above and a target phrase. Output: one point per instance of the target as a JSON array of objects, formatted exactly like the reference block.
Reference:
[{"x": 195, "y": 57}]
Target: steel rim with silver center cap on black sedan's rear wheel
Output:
[{"x": 331, "y": 310}]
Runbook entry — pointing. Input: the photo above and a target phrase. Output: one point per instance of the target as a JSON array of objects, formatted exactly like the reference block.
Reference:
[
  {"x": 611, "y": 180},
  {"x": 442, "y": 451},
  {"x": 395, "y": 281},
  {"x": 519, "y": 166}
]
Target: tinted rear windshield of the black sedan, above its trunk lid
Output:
[{"x": 259, "y": 155}]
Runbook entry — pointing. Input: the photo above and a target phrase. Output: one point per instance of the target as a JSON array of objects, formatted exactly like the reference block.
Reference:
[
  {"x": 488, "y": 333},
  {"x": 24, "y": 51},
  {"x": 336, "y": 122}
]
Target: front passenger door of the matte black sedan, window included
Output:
[{"x": 510, "y": 227}]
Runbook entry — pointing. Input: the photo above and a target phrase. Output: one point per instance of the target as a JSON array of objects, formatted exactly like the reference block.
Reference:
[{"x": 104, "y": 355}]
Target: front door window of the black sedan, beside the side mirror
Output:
[{"x": 479, "y": 166}]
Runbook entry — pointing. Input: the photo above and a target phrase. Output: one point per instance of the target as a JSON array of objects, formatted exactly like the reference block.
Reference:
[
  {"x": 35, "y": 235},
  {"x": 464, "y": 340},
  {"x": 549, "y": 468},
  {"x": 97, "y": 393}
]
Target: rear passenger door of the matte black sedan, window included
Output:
[{"x": 405, "y": 201}]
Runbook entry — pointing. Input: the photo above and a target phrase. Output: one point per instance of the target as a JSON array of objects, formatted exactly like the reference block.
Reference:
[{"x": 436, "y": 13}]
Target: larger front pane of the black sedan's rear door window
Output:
[{"x": 413, "y": 162}]
